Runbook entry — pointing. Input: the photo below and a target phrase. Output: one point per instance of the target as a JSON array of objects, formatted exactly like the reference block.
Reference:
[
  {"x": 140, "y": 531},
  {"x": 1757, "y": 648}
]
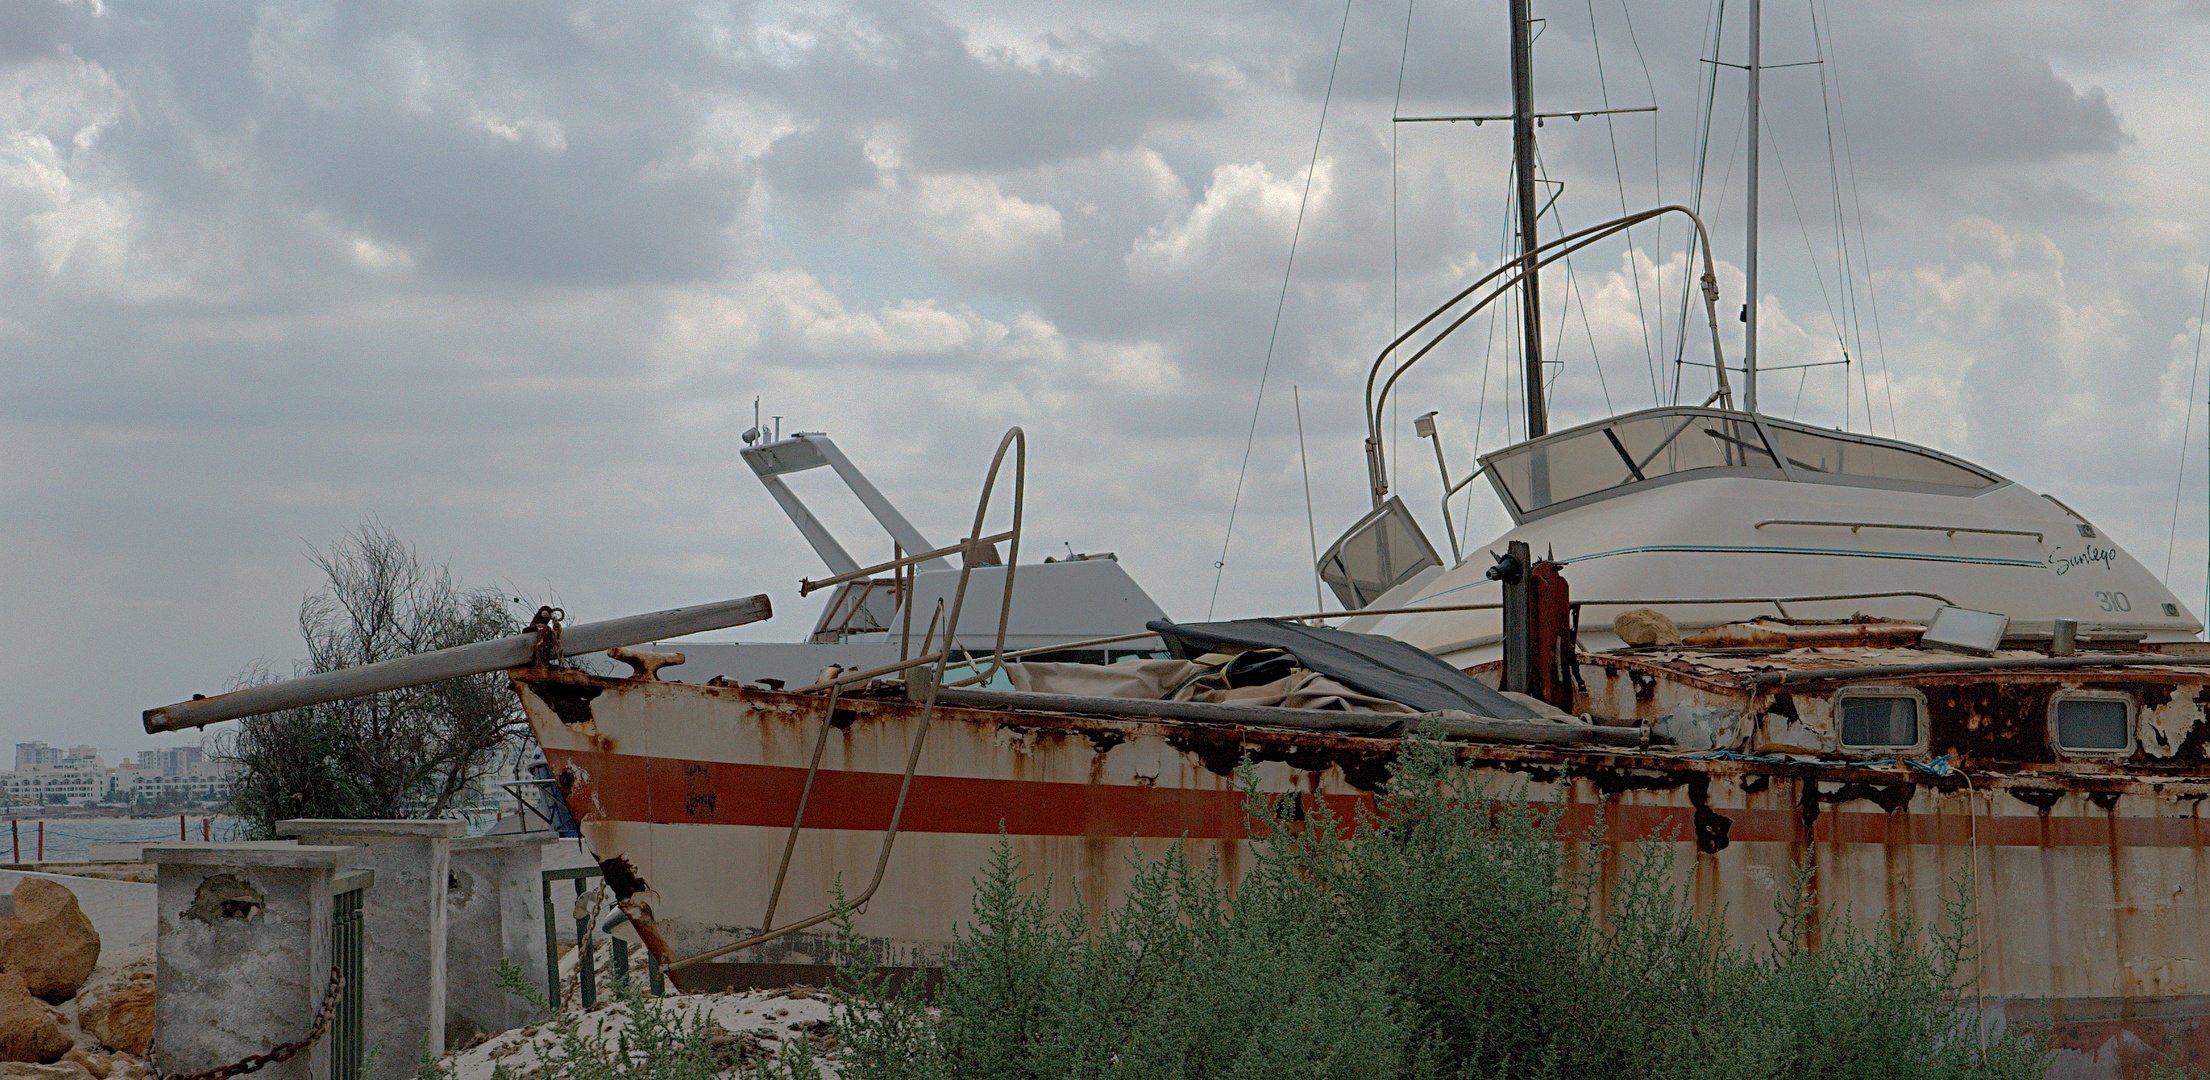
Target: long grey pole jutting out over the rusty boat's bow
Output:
[{"x": 452, "y": 664}]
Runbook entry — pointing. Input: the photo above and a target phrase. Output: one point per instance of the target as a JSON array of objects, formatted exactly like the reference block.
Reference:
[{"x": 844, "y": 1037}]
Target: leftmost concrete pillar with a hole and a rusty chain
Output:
[{"x": 242, "y": 953}]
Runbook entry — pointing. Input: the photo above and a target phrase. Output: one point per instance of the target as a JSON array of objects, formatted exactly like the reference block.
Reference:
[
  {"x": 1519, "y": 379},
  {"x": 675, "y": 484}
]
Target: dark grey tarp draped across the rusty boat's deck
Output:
[{"x": 1367, "y": 664}]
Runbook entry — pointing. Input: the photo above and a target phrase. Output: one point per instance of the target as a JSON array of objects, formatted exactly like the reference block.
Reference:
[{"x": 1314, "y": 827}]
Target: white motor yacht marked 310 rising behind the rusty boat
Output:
[{"x": 1703, "y": 505}]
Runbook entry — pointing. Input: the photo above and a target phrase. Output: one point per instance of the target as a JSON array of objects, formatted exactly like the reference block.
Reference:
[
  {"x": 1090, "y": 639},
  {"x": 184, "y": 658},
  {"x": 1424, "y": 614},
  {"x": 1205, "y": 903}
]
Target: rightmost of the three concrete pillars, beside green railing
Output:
[{"x": 494, "y": 913}]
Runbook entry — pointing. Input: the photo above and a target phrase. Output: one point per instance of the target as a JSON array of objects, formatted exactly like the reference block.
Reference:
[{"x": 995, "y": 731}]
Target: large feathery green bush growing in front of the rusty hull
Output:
[{"x": 1444, "y": 935}]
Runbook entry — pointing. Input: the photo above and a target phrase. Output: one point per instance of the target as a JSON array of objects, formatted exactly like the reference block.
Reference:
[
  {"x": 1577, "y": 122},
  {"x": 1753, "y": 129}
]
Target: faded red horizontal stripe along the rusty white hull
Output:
[{"x": 728, "y": 794}]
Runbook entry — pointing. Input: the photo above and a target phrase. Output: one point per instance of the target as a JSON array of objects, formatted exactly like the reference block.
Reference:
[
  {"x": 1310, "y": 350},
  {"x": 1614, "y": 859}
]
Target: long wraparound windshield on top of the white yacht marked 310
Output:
[{"x": 1650, "y": 447}]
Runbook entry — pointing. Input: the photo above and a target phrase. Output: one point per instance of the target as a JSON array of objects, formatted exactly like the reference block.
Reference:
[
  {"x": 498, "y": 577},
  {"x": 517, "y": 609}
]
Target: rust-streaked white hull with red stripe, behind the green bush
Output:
[{"x": 2092, "y": 887}]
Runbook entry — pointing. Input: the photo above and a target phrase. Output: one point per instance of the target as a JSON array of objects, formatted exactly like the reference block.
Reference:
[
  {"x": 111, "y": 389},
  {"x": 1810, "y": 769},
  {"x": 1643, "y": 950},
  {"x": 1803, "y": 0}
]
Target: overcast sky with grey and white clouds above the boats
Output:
[{"x": 507, "y": 277}]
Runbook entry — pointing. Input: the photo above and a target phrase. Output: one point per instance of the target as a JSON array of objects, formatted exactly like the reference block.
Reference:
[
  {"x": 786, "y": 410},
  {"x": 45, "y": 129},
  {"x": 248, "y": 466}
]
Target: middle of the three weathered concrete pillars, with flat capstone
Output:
[{"x": 406, "y": 927}]
